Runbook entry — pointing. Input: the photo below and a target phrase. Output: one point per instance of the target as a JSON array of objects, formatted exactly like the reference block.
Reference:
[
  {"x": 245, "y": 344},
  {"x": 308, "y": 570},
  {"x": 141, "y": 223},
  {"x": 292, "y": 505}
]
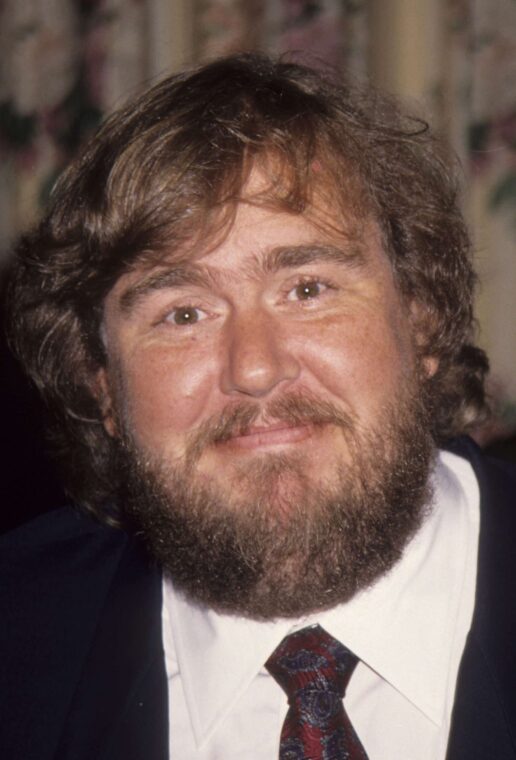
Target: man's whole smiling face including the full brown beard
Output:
[{"x": 263, "y": 378}]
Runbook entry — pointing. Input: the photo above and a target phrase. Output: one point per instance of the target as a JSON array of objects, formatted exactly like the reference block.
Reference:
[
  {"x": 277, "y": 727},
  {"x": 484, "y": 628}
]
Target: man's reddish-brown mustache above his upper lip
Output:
[{"x": 237, "y": 419}]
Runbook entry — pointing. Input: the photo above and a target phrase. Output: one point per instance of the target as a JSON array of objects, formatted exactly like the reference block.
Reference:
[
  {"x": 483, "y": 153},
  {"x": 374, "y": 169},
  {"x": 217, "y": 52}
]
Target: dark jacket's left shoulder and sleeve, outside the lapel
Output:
[{"x": 56, "y": 574}]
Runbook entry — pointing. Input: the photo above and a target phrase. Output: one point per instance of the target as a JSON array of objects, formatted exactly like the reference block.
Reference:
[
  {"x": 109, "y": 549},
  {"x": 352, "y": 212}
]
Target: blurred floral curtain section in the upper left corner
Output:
[{"x": 62, "y": 63}]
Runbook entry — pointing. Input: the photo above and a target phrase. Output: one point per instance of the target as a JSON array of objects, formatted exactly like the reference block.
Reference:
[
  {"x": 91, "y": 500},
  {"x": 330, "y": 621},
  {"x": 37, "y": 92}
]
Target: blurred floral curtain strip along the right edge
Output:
[{"x": 478, "y": 95}]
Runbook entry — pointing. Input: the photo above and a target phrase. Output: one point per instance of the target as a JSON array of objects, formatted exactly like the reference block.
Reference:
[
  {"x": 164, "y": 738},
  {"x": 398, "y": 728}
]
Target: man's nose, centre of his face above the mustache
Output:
[{"x": 258, "y": 357}]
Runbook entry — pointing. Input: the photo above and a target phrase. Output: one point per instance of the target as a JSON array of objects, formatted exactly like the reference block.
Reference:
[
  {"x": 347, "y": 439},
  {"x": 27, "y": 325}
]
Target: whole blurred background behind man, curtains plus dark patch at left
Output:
[{"x": 65, "y": 64}]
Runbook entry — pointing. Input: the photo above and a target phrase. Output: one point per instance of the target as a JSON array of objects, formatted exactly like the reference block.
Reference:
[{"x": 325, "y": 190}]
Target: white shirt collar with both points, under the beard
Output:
[{"x": 403, "y": 627}]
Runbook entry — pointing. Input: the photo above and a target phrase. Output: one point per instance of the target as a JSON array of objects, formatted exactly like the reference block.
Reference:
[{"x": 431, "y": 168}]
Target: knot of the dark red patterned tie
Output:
[{"x": 310, "y": 665}]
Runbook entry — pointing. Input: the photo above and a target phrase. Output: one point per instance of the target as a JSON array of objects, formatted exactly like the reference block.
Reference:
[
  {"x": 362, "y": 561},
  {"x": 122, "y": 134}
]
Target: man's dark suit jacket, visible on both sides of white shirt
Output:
[{"x": 82, "y": 672}]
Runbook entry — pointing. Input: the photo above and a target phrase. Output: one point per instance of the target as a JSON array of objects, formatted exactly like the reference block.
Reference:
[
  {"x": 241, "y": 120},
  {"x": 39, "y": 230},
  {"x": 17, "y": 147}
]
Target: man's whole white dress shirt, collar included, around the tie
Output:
[{"x": 408, "y": 631}]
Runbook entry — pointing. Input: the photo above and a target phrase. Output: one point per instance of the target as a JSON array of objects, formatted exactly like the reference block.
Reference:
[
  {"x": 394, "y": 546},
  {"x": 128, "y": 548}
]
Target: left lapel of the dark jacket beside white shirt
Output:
[{"x": 120, "y": 709}]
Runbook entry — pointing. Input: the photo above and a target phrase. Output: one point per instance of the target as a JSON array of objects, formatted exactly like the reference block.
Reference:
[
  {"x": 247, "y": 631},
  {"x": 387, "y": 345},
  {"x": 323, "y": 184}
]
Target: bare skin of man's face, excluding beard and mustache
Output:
[{"x": 286, "y": 304}]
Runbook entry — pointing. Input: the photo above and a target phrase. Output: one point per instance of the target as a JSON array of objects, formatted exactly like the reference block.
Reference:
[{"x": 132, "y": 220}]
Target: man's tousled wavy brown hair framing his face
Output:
[{"x": 161, "y": 172}]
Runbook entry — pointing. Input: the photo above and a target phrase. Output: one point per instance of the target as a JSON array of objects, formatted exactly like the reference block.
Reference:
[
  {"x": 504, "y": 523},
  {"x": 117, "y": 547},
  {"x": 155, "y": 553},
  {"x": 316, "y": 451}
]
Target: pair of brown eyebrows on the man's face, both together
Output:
[{"x": 269, "y": 262}]
